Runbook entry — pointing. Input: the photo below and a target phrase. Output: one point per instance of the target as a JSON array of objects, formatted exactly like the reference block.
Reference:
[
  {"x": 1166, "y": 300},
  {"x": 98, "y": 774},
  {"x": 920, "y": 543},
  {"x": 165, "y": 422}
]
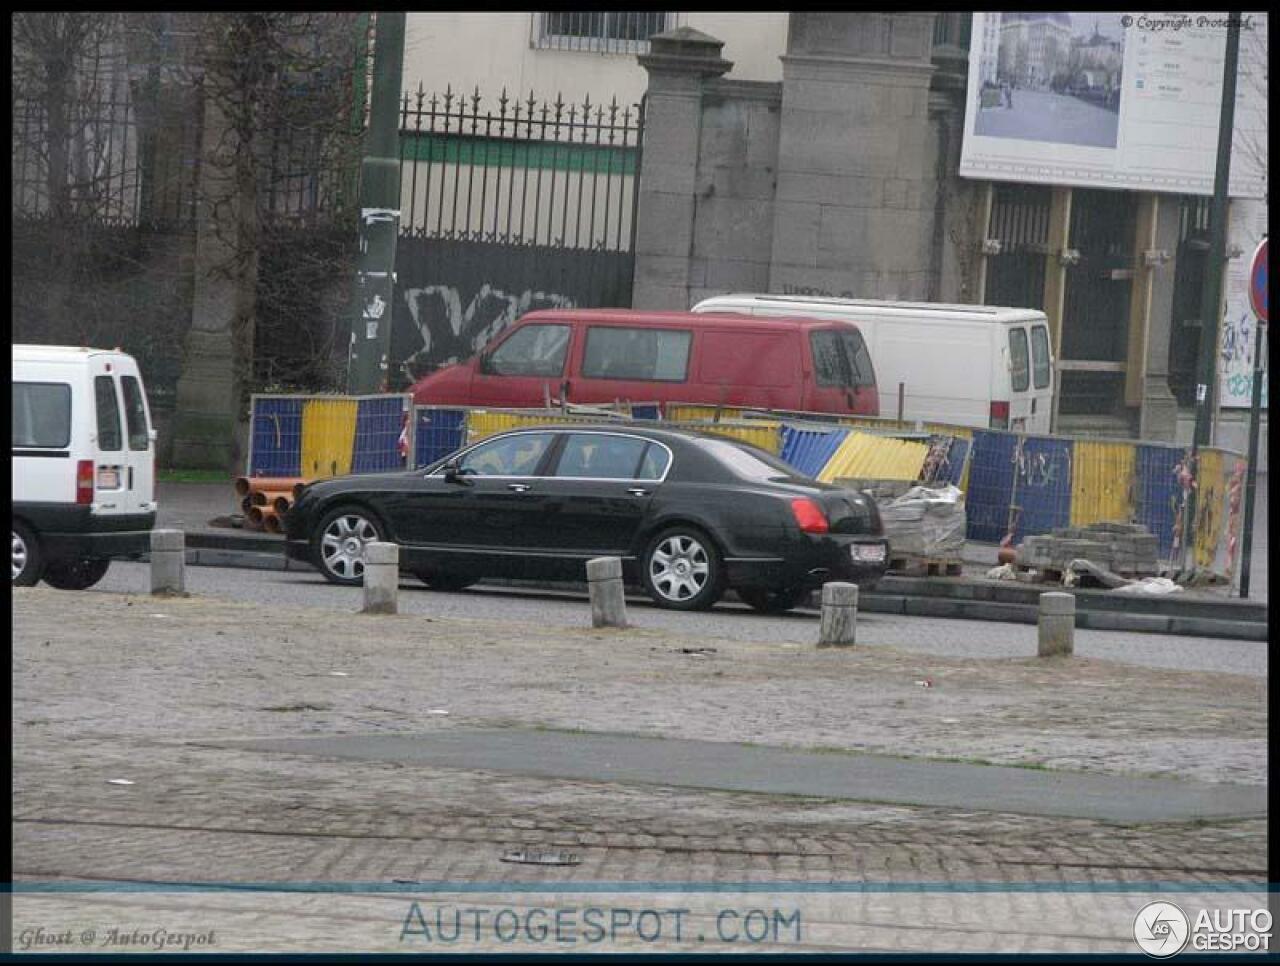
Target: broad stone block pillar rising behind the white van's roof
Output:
[{"x": 856, "y": 200}]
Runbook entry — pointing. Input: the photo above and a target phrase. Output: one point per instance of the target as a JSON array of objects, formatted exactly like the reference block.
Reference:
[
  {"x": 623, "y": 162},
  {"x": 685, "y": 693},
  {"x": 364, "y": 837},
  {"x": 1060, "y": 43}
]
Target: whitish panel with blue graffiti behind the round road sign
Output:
[{"x": 1246, "y": 228}]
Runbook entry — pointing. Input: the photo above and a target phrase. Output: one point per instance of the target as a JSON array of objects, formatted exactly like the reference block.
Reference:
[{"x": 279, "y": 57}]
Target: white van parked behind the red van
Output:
[{"x": 980, "y": 367}]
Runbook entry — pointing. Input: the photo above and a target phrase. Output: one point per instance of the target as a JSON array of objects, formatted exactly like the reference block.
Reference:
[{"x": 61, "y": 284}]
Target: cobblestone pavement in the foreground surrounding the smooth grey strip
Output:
[{"x": 118, "y": 688}]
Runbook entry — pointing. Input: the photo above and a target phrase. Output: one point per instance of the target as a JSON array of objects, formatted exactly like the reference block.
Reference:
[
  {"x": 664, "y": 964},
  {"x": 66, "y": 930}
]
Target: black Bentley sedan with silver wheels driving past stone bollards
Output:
[{"x": 689, "y": 514}]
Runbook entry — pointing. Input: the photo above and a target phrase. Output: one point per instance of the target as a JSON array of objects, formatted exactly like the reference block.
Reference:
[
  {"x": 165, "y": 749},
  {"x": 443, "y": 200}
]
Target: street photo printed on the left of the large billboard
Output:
[{"x": 1052, "y": 77}]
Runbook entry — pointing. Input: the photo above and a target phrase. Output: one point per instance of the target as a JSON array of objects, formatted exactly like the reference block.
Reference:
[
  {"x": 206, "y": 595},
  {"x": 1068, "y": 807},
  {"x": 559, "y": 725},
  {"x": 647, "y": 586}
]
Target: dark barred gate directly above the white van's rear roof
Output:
[{"x": 1020, "y": 222}]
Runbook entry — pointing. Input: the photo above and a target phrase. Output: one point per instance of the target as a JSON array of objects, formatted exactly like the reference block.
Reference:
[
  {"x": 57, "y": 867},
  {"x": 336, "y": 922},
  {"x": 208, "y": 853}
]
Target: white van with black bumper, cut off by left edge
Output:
[{"x": 84, "y": 465}]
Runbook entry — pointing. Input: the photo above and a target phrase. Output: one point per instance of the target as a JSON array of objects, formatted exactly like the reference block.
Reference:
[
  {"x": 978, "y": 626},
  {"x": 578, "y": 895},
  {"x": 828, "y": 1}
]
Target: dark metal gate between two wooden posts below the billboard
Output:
[{"x": 1096, "y": 303}]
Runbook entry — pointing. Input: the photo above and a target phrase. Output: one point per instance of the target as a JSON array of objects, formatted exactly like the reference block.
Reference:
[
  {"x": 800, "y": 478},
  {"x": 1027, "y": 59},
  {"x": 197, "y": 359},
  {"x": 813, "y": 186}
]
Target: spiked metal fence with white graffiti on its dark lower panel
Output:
[{"x": 508, "y": 208}]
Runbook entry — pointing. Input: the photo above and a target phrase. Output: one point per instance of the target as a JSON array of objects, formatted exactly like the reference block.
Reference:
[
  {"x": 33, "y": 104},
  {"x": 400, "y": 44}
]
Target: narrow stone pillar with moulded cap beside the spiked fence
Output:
[{"x": 679, "y": 63}]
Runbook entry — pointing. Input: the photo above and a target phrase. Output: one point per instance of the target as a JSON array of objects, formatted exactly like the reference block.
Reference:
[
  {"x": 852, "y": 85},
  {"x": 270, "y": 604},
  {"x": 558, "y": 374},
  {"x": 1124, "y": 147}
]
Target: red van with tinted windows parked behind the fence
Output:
[{"x": 605, "y": 355}]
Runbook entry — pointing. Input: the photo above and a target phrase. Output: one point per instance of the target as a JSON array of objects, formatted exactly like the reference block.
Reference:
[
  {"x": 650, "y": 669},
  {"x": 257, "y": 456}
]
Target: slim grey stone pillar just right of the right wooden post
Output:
[{"x": 1159, "y": 416}]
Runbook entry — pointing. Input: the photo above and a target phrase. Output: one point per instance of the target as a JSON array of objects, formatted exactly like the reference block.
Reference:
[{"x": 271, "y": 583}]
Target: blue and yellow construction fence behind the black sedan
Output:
[{"x": 1016, "y": 486}]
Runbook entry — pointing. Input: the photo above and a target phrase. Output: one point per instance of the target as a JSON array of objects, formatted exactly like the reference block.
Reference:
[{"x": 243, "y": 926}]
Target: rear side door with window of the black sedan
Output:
[{"x": 600, "y": 493}]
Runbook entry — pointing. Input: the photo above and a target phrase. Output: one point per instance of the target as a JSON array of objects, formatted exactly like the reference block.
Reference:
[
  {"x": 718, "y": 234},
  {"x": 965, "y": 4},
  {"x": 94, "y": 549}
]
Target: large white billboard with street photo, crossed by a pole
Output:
[{"x": 1113, "y": 100}]
